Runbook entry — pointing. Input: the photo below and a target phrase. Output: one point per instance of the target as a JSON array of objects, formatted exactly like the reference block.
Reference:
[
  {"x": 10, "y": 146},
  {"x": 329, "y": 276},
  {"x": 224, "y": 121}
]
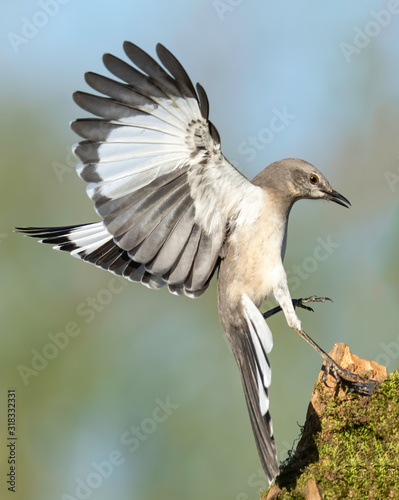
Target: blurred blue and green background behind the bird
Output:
[{"x": 133, "y": 347}]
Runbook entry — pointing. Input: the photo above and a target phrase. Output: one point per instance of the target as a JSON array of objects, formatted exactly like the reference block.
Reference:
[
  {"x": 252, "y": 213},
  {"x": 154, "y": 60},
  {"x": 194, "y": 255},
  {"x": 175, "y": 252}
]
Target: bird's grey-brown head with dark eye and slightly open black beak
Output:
[{"x": 297, "y": 179}]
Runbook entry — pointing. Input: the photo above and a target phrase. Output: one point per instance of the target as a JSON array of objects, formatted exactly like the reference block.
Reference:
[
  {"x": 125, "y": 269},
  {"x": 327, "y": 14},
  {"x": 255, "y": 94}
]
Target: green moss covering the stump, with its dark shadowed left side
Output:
[{"x": 353, "y": 451}]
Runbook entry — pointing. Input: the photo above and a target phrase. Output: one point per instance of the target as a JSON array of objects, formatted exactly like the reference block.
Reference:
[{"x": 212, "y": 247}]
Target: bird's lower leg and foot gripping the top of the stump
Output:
[{"x": 353, "y": 381}]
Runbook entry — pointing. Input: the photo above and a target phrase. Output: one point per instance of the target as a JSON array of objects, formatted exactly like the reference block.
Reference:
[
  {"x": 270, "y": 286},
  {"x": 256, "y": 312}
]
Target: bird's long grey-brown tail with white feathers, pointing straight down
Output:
[{"x": 251, "y": 357}]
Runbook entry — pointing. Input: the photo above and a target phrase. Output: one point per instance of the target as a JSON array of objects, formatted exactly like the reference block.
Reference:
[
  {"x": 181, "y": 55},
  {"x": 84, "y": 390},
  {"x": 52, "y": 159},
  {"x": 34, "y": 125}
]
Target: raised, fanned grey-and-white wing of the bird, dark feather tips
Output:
[{"x": 156, "y": 173}]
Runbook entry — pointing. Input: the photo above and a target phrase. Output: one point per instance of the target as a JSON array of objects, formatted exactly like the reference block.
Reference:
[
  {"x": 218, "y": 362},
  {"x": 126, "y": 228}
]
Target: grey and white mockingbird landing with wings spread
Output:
[{"x": 174, "y": 210}]
